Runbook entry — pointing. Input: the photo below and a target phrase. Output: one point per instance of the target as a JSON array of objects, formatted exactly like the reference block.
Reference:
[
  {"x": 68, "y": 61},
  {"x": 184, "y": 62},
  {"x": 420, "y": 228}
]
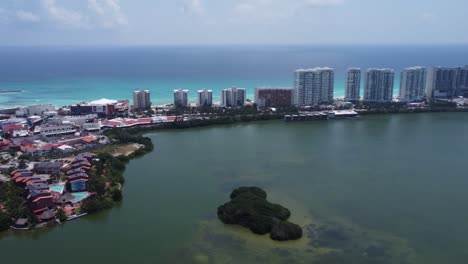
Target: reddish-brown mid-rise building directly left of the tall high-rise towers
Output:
[{"x": 273, "y": 97}]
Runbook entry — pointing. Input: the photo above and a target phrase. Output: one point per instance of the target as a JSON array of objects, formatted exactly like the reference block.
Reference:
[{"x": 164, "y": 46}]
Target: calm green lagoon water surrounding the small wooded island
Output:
[{"x": 392, "y": 189}]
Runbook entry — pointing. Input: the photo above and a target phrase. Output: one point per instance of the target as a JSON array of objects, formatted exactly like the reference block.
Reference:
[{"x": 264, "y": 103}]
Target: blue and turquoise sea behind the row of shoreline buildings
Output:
[{"x": 67, "y": 75}]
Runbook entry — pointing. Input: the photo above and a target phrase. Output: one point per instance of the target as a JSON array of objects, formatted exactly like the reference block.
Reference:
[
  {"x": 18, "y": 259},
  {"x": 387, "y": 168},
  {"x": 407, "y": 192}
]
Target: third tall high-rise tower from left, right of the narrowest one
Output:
[{"x": 379, "y": 85}]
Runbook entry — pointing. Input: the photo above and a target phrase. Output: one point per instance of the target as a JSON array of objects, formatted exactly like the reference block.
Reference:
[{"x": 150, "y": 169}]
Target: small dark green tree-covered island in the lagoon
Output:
[{"x": 249, "y": 208}]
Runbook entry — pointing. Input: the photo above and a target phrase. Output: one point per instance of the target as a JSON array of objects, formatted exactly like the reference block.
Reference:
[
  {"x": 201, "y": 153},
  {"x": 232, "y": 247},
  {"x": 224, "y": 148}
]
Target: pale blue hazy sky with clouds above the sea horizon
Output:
[{"x": 213, "y": 22}]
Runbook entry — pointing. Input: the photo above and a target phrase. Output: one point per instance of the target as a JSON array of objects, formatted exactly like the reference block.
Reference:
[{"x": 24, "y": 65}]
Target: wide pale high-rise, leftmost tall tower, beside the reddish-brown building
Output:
[{"x": 313, "y": 86}]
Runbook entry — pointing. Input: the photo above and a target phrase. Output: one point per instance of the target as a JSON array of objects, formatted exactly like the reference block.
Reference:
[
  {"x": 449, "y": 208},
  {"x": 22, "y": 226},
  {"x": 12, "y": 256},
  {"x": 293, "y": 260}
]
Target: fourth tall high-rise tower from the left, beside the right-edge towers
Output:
[{"x": 413, "y": 84}]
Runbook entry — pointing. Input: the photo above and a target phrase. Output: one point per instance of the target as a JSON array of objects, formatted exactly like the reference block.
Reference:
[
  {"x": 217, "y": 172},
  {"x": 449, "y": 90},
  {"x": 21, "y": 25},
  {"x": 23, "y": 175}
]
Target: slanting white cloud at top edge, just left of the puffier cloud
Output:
[{"x": 62, "y": 15}]
